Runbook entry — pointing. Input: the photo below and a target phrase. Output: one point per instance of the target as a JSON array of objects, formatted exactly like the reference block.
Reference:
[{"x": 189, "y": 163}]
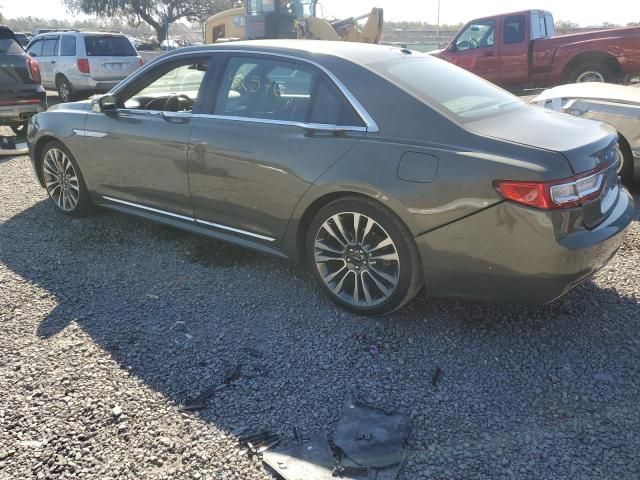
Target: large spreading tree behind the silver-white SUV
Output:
[{"x": 158, "y": 14}]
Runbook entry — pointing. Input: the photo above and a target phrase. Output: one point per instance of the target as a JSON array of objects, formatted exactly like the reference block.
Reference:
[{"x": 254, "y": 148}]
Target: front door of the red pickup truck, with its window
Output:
[{"x": 476, "y": 50}]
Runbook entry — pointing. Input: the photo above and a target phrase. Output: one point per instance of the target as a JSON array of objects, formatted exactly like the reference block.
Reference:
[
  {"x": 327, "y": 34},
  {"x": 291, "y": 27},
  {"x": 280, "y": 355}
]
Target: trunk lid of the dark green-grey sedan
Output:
[{"x": 577, "y": 139}]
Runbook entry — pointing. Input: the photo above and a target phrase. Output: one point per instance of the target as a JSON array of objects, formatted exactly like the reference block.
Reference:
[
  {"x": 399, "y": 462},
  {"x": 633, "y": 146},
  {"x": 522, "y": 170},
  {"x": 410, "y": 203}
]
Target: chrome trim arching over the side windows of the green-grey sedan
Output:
[{"x": 370, "y": 123}]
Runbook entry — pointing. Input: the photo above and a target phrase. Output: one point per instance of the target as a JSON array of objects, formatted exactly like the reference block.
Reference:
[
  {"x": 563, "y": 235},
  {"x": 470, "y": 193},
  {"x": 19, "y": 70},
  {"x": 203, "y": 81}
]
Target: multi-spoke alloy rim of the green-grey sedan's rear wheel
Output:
[{"x": 357, "y": 259}]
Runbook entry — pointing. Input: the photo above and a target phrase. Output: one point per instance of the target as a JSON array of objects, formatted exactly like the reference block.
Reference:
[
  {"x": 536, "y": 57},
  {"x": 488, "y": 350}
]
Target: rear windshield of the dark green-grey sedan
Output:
[{"x": 448, "y": 88}]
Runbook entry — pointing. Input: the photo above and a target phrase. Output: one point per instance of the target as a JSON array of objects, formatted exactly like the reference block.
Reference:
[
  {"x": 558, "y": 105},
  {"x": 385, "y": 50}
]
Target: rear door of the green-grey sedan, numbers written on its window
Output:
[{"x": 277, "y": 125}]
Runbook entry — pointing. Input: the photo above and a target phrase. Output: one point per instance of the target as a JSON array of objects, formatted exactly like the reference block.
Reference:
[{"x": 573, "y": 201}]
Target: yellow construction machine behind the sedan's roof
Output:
[{"x": 258, "y": 19}]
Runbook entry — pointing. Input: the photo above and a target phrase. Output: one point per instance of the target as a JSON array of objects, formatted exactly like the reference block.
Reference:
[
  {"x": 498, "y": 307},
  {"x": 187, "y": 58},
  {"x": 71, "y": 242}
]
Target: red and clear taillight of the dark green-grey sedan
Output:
[{"x": 555, "y": 194}]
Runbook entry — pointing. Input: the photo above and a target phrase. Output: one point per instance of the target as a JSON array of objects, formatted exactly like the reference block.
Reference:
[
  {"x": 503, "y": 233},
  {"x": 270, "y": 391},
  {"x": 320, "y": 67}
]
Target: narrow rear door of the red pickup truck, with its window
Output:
[{"x": 514, "y": 50}]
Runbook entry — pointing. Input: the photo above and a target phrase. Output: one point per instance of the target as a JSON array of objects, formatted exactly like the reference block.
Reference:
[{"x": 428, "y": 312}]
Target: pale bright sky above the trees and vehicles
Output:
[{"x": 583, "y": 12}]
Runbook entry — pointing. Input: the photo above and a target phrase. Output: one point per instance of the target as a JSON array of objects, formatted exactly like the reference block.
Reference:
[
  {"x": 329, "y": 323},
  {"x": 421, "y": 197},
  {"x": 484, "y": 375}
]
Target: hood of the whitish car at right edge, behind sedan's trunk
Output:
[{"x": 593, "y": 91}]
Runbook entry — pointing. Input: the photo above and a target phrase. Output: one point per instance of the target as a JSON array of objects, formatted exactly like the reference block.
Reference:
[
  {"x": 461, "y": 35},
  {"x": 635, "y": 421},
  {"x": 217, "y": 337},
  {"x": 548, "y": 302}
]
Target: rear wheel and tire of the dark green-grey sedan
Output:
[{"x": 372, "y": 272}]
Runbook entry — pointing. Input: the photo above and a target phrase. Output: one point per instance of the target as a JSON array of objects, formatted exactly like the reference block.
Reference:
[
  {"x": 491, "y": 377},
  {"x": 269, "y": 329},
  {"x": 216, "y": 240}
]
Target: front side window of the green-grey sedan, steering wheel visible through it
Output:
[{"x": 171, "y": 88}]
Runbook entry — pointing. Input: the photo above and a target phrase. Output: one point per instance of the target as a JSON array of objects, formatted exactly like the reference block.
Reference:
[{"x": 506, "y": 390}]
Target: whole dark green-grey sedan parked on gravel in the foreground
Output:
[{"x": 385, "y": 171}]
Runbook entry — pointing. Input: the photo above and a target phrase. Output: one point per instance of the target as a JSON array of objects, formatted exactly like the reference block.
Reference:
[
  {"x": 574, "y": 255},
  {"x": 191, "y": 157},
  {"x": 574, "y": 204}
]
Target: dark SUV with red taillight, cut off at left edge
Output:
[{"x": 21, "y": 95}]
